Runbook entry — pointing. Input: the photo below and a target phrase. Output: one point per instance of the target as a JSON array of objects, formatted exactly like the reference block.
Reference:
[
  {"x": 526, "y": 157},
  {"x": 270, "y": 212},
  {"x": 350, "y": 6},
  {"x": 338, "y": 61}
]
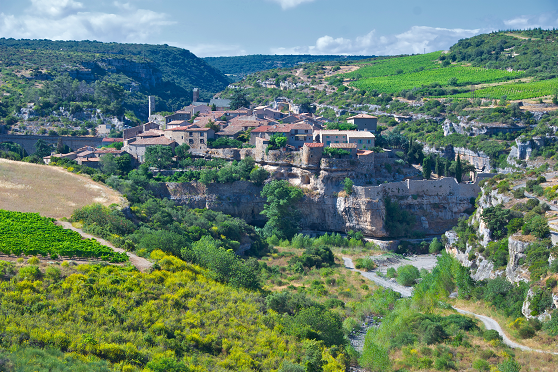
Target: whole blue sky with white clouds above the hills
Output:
[{"x": 240, "y": 27}]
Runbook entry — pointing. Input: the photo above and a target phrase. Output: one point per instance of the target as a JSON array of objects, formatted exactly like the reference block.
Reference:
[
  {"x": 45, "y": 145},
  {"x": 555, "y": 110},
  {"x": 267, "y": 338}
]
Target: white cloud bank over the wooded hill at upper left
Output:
[{"x": 70, "y": 20}]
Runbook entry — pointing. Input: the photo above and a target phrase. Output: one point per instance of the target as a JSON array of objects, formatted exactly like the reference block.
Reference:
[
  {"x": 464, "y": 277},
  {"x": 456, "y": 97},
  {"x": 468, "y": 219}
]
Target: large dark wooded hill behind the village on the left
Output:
[{"x": 166, "y": 72}]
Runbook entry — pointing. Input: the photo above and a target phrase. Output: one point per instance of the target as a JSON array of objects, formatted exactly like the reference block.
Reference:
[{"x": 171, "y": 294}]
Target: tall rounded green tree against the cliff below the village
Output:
[{"x": 281, "y": 209}]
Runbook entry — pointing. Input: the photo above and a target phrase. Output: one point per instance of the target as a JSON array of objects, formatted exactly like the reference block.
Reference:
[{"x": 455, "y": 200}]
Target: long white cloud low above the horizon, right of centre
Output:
[{"x": 415, "y": 40}]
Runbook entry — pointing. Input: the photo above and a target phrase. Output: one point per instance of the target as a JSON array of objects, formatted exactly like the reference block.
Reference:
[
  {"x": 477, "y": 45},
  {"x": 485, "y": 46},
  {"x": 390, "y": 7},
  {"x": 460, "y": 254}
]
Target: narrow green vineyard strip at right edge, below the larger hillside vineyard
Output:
[{"x": 515, "y": 91}]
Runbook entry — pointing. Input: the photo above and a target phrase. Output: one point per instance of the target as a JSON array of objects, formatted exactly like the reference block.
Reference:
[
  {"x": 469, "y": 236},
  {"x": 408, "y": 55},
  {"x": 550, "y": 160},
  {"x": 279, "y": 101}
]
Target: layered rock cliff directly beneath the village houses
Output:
[{"x": 436, "y": 204}]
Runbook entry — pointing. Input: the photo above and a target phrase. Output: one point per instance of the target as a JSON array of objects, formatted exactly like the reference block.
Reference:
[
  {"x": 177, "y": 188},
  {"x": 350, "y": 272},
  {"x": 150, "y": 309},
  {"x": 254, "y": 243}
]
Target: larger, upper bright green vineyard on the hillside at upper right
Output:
[{"x": 464, "y": 75}]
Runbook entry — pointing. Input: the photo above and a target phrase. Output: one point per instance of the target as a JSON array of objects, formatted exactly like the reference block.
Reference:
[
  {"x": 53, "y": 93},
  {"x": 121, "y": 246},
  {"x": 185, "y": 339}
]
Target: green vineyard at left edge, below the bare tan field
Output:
[{"x": 31, "y": 234}]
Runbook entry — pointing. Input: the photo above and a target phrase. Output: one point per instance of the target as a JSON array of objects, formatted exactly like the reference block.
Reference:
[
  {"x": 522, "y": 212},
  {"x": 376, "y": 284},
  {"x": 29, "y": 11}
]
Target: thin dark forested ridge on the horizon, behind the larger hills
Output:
[{"x": 238, "y": 67}]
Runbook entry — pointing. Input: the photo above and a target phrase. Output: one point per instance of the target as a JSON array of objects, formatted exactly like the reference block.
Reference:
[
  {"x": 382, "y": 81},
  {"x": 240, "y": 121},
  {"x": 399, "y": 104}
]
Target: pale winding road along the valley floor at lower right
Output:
[{"x": 488, "y": 322}]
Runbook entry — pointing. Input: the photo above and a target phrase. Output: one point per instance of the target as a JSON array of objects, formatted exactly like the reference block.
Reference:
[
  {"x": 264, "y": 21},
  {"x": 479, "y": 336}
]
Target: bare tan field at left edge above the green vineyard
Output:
[{"x": 49, "y": 191}]
